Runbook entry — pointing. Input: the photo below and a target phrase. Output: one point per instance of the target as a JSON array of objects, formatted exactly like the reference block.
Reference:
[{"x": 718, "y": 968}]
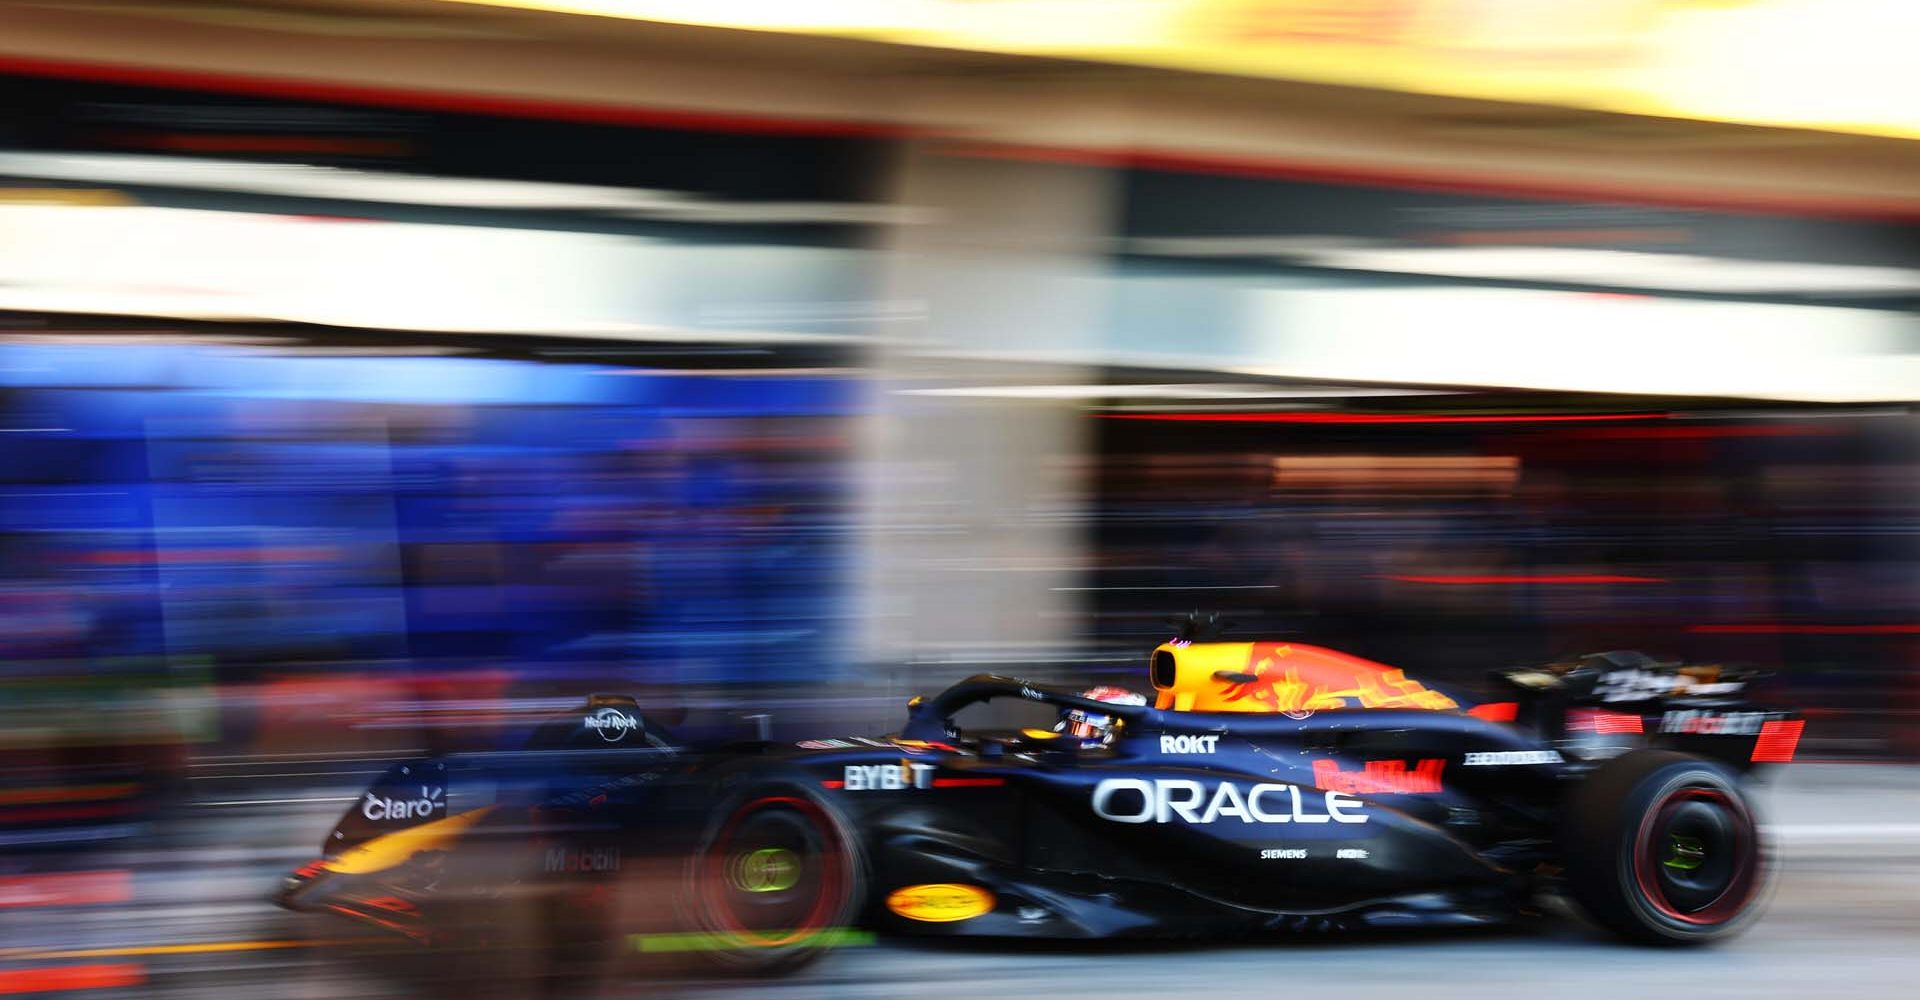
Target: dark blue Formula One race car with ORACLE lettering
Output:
[{"x": 1272, "y": 786}]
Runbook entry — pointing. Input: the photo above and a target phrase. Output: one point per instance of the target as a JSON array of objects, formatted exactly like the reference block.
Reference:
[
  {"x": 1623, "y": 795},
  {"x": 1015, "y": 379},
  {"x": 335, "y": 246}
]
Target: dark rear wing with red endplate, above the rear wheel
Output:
[{"x": 1629, "y": 700}]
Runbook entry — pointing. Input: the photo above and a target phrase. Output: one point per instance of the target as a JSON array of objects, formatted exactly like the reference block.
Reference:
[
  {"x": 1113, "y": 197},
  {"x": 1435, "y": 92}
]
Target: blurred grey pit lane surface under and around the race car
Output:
[{"x": 1846, "y": 918}]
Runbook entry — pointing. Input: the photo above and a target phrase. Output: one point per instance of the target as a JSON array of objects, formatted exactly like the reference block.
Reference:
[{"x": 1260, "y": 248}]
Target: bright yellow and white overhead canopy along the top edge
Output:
[{"x": 1819, "y": 64}]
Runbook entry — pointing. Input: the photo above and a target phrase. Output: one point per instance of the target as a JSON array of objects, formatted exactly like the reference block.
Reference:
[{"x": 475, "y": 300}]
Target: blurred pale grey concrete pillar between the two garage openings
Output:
[{"x": 972, "y": 502}]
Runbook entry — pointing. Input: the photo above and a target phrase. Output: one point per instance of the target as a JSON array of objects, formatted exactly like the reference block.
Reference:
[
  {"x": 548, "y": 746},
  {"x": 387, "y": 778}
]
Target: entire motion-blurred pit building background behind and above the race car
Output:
[{"x": 383, "y": 375}]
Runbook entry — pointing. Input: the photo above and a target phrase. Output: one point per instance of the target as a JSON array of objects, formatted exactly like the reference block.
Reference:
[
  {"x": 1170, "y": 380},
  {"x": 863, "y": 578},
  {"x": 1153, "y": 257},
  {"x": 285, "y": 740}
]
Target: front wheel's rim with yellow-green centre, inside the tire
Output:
[{"x": 775, "y": 874}]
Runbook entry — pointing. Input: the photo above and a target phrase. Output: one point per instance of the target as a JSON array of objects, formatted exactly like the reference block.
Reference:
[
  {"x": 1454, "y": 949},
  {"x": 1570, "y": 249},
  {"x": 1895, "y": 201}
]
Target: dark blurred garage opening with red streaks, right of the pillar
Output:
[{"x": 1777, "y": 540}]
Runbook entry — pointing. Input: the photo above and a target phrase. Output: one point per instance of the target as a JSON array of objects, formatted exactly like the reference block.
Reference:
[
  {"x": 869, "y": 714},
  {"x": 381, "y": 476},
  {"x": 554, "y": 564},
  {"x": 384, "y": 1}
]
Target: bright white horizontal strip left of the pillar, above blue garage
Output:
[{"x": 235, "y": 266}]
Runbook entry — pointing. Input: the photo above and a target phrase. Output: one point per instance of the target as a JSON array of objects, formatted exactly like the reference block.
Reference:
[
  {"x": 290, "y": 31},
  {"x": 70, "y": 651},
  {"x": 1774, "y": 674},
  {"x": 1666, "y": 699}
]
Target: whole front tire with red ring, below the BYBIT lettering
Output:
[{"x": 777, "y": 880}]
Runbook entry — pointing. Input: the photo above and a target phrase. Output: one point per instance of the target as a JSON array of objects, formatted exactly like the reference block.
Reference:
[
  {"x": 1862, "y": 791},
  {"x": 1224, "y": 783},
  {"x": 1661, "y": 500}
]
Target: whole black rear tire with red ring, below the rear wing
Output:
[{"x": 1666, "y": 849}]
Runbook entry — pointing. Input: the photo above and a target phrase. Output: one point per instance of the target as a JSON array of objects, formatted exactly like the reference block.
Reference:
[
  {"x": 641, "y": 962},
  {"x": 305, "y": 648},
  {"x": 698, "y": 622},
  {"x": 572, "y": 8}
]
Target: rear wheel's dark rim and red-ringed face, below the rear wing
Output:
[{"x": 1696, "y": 857}]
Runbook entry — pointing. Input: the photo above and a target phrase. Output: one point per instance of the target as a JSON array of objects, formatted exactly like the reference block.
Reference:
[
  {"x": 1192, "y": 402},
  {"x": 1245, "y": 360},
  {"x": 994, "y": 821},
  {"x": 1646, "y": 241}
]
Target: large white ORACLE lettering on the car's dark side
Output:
[{"x": 1164, "y": 799}]
